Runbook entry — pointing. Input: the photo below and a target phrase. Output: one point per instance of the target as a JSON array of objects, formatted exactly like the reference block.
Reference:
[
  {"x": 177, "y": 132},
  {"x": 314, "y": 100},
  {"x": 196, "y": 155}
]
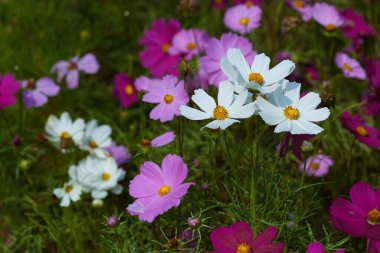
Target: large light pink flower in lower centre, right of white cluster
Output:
[{"x": 158, "y": 190}]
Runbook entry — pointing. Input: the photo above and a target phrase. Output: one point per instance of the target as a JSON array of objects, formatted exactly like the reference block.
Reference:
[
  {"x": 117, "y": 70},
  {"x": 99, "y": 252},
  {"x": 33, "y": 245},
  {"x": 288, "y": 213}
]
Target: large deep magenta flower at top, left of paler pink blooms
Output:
[{"x": 157, "y": 42}]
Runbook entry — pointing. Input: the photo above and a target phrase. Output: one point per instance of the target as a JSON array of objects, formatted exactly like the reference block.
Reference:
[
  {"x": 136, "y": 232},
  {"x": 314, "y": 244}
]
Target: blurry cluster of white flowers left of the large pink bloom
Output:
[{"x": 99, "y": 172}]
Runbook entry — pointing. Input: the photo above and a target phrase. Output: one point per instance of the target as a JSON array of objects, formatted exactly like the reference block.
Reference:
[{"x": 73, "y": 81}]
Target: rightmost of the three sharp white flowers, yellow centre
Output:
[{"x": 292, "y": 114}]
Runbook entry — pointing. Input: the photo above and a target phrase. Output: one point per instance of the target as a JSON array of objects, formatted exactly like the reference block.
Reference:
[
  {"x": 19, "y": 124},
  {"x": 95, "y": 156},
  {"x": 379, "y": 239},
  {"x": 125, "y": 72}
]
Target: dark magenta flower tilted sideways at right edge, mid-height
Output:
[{"x": 364, "y": 133}]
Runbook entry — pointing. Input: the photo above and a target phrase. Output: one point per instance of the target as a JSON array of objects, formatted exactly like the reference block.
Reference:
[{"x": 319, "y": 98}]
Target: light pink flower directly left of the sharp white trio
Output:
[{"x": 169, "y": 94}]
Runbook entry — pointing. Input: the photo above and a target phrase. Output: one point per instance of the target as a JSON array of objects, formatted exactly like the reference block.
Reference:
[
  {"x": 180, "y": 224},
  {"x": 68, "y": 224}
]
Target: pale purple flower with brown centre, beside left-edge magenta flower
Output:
[{"x": 36, "y": 92}]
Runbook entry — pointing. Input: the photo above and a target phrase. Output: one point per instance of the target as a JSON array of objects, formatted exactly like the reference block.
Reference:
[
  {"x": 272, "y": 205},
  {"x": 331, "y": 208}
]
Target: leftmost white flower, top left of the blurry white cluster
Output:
[{"x": 63, "y": 132}]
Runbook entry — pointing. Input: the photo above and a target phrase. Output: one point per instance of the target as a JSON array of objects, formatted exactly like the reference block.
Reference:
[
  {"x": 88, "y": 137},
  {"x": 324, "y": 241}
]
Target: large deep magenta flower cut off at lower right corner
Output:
[{"x": 359, "y": 217}]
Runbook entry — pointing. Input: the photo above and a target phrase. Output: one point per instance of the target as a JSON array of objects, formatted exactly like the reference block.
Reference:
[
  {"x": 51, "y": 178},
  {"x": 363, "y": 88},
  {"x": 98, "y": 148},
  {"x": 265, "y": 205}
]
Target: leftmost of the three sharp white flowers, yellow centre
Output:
[{"x": 225, "y": 113}]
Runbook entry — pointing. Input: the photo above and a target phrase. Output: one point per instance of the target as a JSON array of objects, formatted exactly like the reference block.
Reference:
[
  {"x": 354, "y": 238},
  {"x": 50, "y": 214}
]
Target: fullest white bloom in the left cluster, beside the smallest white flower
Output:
[{"x": 98, "y": 176}]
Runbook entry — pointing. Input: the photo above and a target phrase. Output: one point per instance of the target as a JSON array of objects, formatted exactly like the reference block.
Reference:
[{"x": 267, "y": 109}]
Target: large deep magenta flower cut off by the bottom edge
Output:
[{"x": 238, "y": 238}]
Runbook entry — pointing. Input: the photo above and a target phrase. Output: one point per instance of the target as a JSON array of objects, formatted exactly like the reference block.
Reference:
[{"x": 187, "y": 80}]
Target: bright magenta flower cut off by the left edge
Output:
[{"x": 8, "y": 87}]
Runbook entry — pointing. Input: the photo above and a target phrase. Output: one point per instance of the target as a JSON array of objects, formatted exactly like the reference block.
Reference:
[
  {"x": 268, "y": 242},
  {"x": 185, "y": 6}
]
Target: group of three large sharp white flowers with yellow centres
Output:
[{"x": 258, "y": 90}]
